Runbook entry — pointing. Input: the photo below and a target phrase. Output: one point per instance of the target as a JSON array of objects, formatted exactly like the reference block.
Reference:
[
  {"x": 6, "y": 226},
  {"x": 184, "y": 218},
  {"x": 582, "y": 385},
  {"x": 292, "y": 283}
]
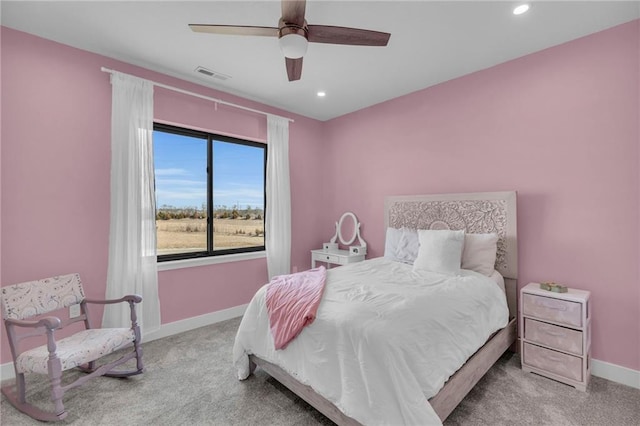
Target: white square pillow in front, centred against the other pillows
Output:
[{"x": 440, "y": 251}]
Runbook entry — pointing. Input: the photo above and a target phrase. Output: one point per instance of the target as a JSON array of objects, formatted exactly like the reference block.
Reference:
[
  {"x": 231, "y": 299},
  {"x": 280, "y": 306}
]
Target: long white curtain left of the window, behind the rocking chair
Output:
[{"x": 132, "y": 235}]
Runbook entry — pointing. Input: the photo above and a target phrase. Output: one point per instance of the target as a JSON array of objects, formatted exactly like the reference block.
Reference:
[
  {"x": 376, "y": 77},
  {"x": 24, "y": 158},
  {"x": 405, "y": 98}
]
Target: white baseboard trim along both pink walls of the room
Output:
[{"x": 613, "y": 372}]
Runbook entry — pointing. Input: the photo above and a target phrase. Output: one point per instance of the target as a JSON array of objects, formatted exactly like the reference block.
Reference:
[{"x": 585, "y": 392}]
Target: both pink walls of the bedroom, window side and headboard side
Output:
[{"x": 561, "y": 125}]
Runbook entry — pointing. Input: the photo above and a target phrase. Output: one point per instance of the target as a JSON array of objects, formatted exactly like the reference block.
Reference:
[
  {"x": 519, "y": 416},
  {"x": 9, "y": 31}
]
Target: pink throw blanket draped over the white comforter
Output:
[{"x": 292, "y": 303}]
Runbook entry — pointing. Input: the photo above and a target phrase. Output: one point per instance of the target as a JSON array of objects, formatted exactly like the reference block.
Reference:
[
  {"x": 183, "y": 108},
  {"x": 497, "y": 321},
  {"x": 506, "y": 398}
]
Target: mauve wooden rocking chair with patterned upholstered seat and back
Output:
[{"x": 23, "y": 307}]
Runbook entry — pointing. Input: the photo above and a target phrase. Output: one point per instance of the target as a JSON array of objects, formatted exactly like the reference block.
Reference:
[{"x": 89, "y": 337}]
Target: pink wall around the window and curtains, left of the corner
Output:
[{"x": 56, "y": 108}]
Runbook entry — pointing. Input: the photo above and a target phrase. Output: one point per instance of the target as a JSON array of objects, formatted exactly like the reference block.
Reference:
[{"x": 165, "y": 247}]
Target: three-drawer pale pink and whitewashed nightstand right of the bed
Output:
[{"x": 555, "y": 333}]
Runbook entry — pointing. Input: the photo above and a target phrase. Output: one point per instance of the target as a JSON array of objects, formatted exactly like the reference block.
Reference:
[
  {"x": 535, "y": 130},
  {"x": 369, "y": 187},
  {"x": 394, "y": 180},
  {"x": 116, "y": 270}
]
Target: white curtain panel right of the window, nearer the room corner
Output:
[{"x": 278, "y": 214}]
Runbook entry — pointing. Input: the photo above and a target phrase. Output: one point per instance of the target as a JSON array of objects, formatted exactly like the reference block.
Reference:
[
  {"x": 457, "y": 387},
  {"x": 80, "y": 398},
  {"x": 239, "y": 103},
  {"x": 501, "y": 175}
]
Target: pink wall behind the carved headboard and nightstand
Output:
[{"x": 560, "y": 127}]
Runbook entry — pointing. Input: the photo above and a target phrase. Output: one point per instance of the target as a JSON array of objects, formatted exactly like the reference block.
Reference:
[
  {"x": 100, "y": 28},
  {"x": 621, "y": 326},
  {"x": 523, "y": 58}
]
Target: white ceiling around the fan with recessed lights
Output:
[{"x": 431, "y": 42}]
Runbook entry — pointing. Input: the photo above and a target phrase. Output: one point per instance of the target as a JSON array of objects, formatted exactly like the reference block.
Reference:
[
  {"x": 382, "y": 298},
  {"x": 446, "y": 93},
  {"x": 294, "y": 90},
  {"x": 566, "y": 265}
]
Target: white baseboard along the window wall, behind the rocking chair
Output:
[{"x": 7, "y": 372}]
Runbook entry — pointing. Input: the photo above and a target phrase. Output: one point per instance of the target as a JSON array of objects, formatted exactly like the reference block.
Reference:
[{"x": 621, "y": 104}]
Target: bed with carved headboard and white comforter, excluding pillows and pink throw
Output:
[{"x": 382, "y": 380}]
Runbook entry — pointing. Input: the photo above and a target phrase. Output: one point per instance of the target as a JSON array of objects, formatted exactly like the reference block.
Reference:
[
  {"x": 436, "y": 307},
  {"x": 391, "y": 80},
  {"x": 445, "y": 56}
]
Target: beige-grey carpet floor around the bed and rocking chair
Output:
[{"x": 189, "y": 380}]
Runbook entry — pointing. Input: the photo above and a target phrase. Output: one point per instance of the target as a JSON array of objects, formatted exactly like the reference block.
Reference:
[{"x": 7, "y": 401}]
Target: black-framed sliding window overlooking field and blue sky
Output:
[{"x": 210, "y": 193}]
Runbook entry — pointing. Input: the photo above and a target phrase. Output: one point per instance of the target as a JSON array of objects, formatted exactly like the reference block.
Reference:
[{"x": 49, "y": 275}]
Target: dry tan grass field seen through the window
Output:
[{"x": 185, "y": 235}]
